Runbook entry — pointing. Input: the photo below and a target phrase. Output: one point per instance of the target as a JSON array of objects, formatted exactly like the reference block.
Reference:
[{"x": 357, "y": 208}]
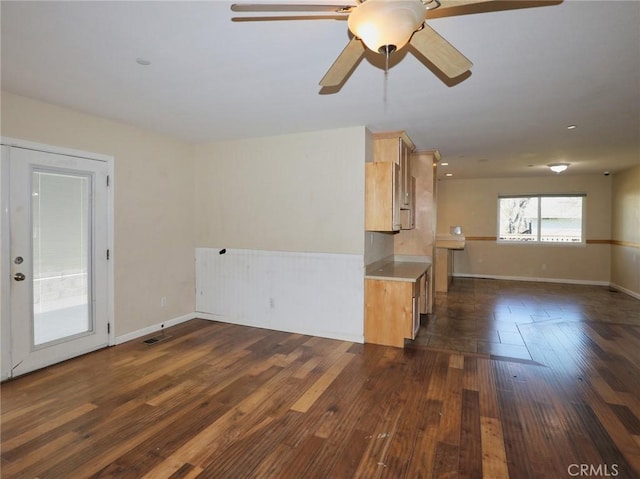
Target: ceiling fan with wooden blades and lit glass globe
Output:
[{"x": 384, "y": 26}]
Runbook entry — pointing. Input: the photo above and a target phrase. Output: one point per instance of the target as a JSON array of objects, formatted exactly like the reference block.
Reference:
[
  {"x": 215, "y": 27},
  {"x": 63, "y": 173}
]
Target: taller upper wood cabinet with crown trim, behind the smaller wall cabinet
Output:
[{"x": 396, "y": 147}]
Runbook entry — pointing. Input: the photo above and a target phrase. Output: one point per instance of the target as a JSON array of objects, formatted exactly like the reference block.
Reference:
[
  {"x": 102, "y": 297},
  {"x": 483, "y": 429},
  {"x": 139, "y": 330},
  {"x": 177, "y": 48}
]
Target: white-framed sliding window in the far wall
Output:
[{"x": 541, "y": 218}]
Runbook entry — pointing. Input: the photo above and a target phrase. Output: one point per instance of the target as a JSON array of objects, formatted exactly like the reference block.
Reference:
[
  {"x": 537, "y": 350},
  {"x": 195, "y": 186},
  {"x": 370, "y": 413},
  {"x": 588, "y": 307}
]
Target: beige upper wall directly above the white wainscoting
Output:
[{"x": 300, "y": 192}]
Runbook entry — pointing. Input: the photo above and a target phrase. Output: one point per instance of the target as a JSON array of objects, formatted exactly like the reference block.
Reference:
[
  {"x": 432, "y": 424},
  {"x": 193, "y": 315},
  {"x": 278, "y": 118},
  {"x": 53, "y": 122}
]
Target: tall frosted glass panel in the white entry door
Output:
[{"x": 61, "y": 226}]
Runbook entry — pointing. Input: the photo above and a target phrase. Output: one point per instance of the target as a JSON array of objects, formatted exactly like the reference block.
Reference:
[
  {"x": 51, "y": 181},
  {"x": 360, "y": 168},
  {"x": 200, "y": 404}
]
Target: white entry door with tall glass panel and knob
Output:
[{"x": 58, "y": 222}]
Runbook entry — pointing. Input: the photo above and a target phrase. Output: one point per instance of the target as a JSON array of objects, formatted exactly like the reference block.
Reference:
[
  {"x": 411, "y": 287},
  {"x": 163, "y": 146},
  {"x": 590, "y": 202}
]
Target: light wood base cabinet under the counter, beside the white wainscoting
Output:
[{"x": 392, "y": 311}]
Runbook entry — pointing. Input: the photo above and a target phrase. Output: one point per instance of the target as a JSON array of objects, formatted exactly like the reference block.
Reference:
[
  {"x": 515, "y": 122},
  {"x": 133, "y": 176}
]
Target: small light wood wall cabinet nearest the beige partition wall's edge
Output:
[{"x": 382, "y": 197}]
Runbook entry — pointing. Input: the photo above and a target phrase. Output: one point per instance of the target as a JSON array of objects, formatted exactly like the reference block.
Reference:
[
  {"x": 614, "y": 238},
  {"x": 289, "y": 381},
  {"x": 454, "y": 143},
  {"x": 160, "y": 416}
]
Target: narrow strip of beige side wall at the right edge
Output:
[{"x": 625, "y": 231}]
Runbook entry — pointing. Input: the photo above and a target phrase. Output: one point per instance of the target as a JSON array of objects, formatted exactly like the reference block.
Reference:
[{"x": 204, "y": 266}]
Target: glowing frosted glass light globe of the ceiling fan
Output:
[{"x": 382, "y": 24}]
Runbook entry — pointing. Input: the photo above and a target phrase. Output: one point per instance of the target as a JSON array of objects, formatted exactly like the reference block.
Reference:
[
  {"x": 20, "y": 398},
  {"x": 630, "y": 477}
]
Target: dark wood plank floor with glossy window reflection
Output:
[{"x": 506, "y": 379}]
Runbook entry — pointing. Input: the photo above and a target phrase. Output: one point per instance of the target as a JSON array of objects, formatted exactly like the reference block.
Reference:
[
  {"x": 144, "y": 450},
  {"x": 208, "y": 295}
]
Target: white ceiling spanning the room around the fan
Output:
[{"x": 536, "y": 71}]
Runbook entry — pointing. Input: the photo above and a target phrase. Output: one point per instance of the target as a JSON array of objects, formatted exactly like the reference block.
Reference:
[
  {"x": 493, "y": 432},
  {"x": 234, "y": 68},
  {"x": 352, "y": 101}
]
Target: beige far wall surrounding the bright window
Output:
[{"x": 473, "y": 204}]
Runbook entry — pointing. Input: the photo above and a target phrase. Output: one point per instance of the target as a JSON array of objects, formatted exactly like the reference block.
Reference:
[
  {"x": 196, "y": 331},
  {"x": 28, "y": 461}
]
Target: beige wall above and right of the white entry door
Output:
[{"x": 154, "y": 221}]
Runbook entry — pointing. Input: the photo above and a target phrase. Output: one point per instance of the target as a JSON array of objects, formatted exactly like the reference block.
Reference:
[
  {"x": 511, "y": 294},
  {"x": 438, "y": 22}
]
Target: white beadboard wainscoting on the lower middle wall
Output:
[{"x": 318, "y": 294}]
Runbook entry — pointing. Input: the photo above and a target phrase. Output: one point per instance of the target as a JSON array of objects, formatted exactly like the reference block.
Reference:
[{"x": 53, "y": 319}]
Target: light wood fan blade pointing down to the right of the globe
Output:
[{"x": 440, "y": 52}]
